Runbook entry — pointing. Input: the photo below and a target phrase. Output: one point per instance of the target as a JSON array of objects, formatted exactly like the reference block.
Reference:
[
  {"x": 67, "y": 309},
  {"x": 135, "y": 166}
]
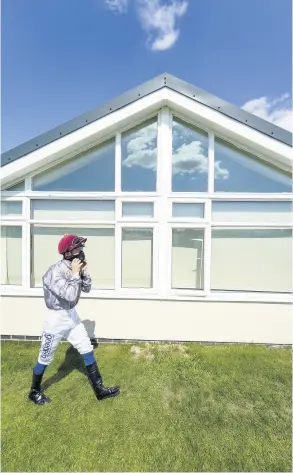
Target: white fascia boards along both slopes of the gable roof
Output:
[{"x": 254, "y": 141}]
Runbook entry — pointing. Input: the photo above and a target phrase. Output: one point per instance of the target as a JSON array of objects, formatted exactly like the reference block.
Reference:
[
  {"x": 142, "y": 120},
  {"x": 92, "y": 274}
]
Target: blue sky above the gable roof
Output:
[{"x": 62, "y": 58}]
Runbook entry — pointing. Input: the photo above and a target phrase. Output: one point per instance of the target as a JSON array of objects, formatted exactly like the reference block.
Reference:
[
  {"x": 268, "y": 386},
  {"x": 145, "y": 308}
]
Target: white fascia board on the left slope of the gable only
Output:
[{"x": 83, "y": 138}]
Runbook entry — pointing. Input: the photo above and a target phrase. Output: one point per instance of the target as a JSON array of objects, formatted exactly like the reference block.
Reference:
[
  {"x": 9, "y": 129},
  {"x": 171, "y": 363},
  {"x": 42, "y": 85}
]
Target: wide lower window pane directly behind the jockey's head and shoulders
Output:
[{"x": 99, "y": 251}]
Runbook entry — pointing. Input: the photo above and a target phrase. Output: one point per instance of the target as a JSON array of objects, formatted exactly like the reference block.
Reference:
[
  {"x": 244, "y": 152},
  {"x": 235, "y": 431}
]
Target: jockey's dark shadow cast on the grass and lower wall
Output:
[{"x": 73, "y": 360}]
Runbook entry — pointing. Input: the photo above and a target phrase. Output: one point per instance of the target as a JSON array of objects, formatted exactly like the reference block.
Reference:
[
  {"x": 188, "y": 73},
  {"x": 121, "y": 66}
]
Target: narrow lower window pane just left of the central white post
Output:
[{"x": 137, "y": 257}]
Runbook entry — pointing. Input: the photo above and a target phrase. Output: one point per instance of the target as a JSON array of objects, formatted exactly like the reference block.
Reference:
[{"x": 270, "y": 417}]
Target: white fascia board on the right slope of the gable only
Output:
[{"x": 247, "y": 137}]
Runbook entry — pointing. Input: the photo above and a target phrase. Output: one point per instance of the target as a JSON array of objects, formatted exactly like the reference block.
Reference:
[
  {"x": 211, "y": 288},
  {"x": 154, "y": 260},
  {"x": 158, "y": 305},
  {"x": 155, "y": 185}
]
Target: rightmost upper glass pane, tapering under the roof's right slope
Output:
[{"x": 238, "y": 171}]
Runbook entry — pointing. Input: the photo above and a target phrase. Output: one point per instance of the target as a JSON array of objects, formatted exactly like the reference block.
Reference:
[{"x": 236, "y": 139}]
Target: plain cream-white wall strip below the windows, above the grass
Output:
[{"x": 161, "y": 320}]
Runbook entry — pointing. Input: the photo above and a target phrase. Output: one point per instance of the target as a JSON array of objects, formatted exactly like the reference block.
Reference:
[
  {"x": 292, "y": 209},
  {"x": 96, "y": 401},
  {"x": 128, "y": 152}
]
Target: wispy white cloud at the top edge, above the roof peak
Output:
[{"x": 158, "y": 19}]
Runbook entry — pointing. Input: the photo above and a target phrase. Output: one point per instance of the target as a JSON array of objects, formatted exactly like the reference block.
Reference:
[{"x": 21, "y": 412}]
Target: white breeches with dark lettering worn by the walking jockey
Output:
[{"x": 60, "y": 324}]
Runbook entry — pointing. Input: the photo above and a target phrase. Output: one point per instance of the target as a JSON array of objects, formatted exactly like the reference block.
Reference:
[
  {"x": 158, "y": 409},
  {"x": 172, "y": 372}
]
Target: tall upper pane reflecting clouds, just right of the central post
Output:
[{"x": 189, "y": 158}]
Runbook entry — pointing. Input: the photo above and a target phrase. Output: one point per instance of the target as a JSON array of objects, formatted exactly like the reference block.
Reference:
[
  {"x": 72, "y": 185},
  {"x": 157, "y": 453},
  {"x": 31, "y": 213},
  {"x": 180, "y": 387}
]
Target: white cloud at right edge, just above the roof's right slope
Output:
[{"x": 277, "y": 111}]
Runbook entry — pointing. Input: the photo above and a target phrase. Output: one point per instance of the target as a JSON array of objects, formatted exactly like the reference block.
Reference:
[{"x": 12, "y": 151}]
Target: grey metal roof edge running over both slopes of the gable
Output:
[{"x": 159, "y": 82}]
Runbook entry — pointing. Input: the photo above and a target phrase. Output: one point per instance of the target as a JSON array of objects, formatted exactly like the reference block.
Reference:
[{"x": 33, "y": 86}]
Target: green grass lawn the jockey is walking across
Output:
[{"x": 182, "y": 407}]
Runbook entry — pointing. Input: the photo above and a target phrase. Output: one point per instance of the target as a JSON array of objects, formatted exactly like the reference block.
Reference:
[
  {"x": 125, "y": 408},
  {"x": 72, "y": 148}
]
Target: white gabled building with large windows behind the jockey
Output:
[{"x": 187, "y": 205}]
